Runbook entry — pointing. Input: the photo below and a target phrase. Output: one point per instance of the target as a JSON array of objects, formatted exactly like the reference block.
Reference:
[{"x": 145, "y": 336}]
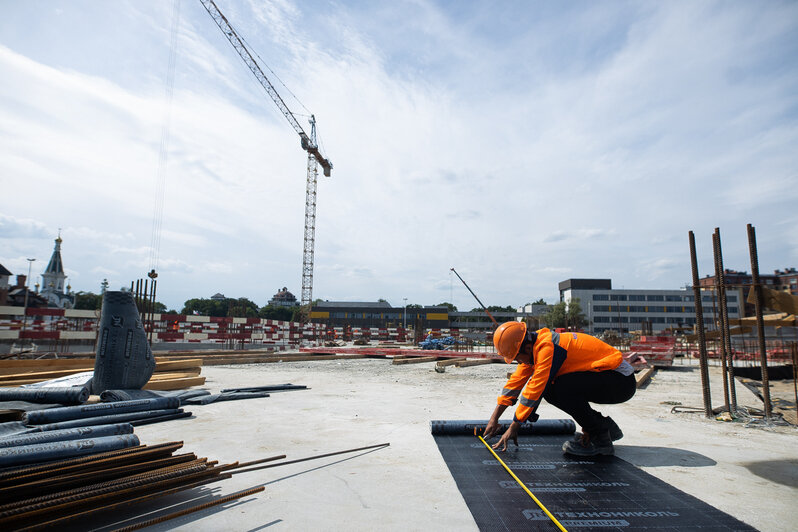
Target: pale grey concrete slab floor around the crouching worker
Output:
[{"x": 750, "y": 473}]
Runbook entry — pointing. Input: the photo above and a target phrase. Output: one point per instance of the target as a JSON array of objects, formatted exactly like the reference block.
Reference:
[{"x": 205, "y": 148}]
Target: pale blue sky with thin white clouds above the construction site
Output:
[{"x": 521, "y": 143}]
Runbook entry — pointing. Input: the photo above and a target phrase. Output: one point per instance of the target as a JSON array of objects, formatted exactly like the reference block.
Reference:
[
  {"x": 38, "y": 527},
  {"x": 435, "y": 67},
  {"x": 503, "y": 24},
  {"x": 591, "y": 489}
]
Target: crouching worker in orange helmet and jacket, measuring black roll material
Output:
[{"x": 570, "y": 370}]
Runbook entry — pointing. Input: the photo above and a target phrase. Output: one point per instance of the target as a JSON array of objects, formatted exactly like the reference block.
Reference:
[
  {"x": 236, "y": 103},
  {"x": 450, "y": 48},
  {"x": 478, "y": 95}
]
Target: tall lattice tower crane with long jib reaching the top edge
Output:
[{"x": 308, "y": 144}]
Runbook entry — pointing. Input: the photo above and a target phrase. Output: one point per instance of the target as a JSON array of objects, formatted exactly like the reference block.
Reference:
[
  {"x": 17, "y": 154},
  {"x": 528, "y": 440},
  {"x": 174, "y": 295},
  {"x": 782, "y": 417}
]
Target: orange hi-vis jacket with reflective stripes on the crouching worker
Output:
[{"x": 554, "y": 354}]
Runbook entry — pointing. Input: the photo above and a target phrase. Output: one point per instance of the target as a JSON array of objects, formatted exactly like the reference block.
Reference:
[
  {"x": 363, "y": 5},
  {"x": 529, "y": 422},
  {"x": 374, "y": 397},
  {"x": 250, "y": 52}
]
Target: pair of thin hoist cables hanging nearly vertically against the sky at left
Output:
[{"x": 160, "y": 179}]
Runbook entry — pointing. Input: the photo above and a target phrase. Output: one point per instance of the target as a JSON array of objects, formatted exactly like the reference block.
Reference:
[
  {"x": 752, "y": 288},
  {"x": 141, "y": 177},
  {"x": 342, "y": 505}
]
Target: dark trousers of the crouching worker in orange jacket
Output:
[{"x": 573, "y": 393}]
